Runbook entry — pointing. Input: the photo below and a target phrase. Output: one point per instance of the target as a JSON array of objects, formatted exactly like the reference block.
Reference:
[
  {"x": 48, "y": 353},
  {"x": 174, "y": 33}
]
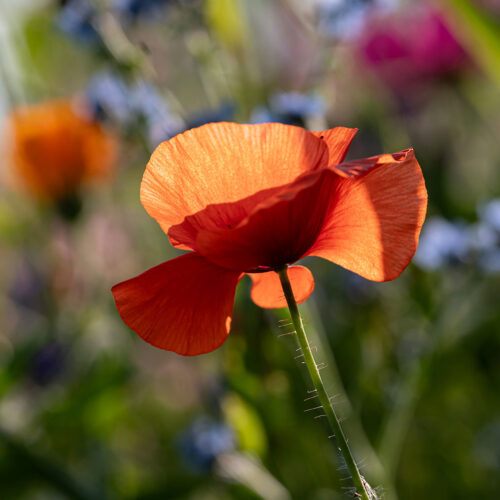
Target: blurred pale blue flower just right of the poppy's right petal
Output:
[{"x": 442, "y": 243}]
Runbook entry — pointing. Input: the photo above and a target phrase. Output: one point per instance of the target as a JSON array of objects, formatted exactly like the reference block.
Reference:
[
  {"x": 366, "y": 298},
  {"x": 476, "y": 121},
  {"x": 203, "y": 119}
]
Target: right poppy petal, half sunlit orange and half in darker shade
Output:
[{"x": 374, "y": 221}]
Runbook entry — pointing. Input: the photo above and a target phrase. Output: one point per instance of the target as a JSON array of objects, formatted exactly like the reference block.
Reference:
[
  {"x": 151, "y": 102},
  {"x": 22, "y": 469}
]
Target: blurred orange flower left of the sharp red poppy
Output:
[{"x": 54, "y": 150}]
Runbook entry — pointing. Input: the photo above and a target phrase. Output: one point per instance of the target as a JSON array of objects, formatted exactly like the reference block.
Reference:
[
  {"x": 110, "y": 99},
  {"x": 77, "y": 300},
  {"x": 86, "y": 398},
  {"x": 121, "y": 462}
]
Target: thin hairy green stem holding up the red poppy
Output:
[{"x": 363, "y": 490}]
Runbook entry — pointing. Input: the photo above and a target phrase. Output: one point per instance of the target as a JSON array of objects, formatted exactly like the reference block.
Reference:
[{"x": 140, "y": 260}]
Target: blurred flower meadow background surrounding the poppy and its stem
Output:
[{"x": 88, "y": 88}]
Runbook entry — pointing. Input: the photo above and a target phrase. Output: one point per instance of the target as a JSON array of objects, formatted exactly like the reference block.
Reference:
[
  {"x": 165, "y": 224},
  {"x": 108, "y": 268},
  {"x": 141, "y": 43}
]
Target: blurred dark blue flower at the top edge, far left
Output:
[{"x": 76, "y": 19}]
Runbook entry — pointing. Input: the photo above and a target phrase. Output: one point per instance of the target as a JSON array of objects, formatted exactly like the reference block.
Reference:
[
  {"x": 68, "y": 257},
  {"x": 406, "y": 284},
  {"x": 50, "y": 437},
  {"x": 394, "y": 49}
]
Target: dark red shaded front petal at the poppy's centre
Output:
[{"x": 279, "y": 230}]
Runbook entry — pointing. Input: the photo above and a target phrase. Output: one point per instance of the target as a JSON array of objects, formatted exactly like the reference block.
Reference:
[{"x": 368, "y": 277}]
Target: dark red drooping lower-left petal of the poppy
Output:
[{"x": 183, "y": 305}]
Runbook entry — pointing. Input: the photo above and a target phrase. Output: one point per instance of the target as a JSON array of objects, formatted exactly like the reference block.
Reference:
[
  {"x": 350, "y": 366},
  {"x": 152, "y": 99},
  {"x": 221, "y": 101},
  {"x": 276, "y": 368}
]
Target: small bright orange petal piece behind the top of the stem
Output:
[{"x": 267, "y": 292}]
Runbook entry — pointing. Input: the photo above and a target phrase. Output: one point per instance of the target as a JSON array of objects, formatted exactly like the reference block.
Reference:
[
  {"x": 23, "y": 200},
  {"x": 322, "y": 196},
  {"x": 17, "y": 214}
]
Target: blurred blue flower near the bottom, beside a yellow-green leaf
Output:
[{"x": 203, "y": 441}]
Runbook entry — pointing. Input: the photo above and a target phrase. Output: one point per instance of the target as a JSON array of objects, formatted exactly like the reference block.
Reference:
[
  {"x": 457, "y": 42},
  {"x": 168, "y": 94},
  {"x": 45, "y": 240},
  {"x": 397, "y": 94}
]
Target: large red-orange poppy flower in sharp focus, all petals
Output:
[{"x": 248, "y": 199}]
